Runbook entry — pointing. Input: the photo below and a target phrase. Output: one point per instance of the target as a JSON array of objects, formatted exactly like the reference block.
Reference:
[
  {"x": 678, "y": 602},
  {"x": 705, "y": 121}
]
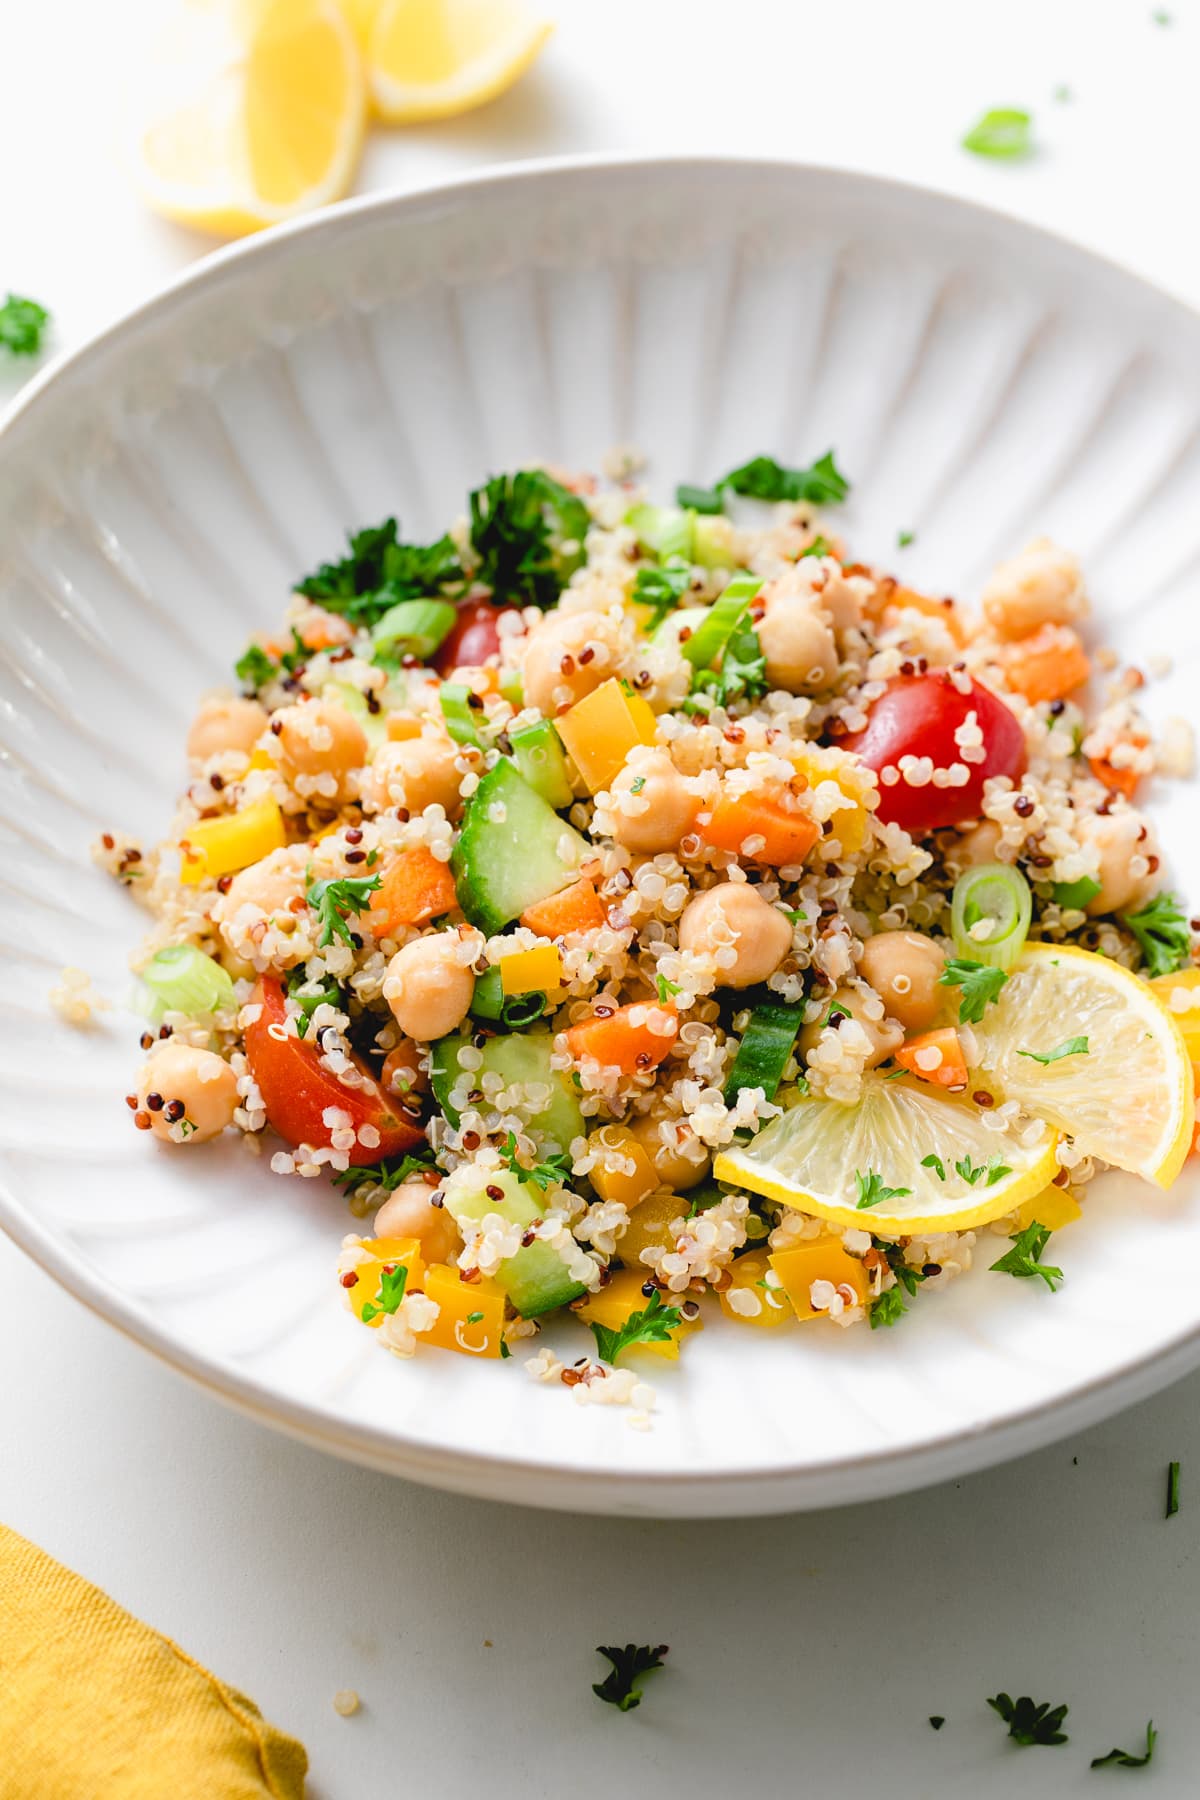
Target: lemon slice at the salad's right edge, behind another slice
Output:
[{"x": 1129, "y": 1101}]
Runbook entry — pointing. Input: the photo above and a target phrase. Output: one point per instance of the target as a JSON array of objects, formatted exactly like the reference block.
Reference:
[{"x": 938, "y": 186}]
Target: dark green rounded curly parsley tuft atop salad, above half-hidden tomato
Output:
[{"x": 521, "y": 526}]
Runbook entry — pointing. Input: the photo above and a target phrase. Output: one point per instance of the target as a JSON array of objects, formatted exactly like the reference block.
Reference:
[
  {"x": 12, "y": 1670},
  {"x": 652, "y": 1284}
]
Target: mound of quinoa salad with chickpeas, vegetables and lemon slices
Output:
[{"x": 654, "y": 917}]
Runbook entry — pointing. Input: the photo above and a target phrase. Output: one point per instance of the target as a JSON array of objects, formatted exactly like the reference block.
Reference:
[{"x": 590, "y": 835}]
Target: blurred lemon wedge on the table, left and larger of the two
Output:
[{"x": 258, "y": 114}]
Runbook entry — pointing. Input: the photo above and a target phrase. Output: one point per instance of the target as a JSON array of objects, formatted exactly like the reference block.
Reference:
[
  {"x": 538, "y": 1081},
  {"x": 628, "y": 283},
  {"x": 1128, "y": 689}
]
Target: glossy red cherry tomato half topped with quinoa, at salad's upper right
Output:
[{"x": 918, "y": 715}]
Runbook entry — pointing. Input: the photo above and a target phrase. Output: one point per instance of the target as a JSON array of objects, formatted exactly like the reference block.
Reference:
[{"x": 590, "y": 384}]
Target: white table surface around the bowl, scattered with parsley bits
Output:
[{"x": 807, "y": 1653}]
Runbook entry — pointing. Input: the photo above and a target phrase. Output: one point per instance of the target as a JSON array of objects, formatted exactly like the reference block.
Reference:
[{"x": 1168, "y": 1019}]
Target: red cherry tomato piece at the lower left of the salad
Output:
[{"x": 298, "y": 1090}]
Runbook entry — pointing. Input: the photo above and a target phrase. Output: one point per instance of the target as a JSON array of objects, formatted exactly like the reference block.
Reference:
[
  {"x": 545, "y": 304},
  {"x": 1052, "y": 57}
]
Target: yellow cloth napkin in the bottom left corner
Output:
[{"x": 98, "y": 1707}]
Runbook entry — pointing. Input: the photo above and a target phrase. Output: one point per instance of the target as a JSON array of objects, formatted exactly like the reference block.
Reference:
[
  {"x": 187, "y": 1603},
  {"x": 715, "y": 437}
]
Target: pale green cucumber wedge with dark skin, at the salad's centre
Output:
[{"x": 514, "y": 850}]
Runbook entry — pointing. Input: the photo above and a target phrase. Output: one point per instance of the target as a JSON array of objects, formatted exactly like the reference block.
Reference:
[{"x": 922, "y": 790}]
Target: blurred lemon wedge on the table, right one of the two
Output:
[{"x": 434, "y": 58}]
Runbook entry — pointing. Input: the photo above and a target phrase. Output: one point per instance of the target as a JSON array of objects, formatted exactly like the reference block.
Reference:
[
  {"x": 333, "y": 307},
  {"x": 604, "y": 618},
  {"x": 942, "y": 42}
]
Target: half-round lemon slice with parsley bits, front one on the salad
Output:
[{"x": 823, "y": 1156}]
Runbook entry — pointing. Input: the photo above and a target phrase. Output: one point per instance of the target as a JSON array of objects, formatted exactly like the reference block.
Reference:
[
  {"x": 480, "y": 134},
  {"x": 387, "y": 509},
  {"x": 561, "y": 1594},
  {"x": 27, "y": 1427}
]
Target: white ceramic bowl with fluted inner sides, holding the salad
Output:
[{"x": 161, "y": 490}]
